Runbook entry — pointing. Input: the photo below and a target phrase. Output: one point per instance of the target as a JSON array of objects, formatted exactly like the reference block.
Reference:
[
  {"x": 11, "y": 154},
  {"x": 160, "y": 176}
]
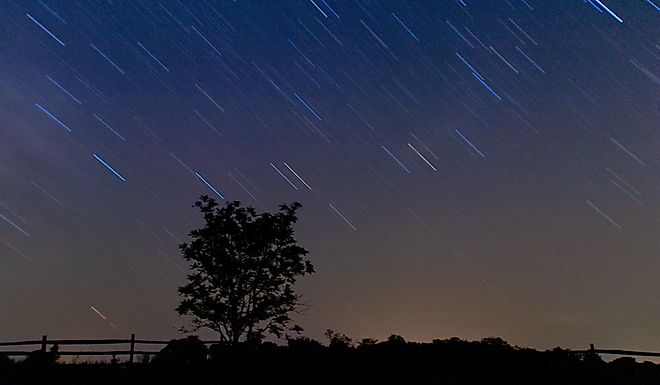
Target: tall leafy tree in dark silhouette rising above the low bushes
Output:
[{"x": 244, "y": 267}]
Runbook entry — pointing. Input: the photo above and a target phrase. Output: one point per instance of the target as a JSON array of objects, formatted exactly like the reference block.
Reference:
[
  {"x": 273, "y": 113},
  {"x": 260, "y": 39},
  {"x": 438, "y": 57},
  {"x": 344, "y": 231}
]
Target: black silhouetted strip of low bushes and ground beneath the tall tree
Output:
[{"x": 342, "y": 361}]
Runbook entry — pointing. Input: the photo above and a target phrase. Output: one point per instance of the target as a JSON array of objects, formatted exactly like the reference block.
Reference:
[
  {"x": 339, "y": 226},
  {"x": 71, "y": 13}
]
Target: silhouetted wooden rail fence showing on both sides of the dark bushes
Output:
[{"x": 44, "y": 342}]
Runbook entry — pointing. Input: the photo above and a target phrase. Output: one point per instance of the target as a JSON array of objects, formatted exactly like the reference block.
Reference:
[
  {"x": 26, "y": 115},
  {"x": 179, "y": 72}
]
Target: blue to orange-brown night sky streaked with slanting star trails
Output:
[{"x": 466, "y": 168}]
